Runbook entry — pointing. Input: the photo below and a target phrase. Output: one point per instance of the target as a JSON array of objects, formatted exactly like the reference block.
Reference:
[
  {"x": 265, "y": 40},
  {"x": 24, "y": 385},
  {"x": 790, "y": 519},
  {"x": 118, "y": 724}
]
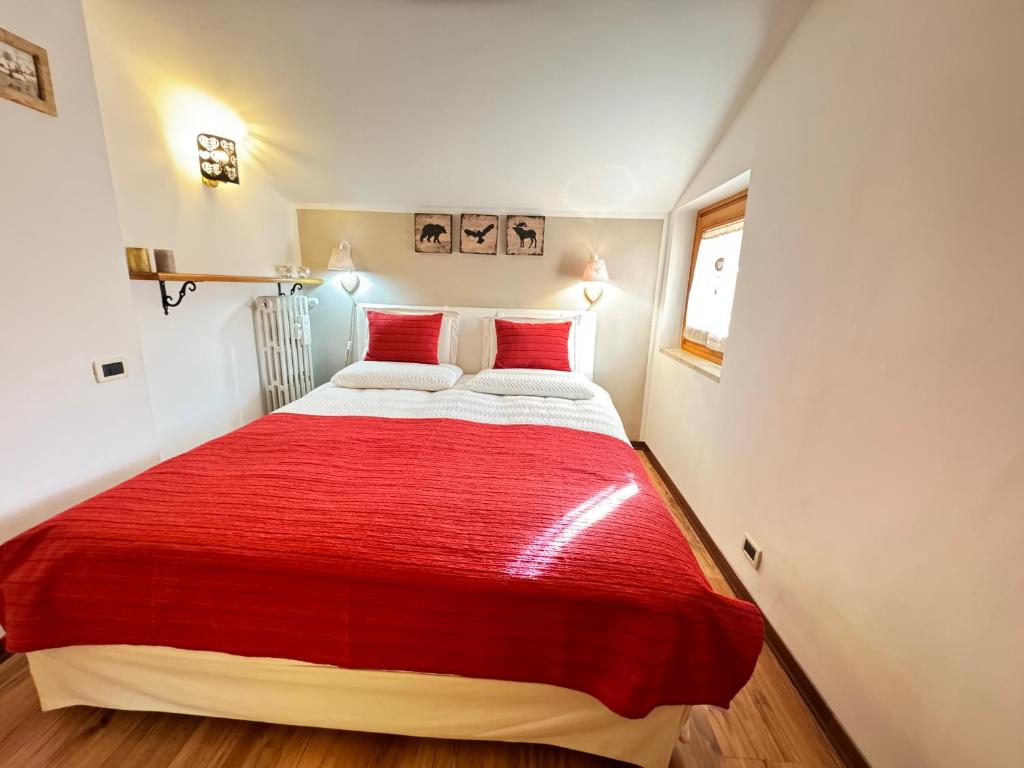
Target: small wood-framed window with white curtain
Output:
[{"x": 714, "y": 266}]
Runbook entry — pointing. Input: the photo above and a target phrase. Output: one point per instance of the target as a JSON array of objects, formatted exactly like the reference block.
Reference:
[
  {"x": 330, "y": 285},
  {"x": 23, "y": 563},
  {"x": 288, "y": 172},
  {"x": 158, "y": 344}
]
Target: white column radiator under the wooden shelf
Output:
[{"x": 284, "y": 349}]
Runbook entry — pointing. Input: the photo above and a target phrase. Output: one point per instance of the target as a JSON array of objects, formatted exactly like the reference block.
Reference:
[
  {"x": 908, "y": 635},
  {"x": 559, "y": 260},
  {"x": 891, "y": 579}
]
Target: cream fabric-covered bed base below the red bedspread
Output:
[{"x": 276, "y": 691}]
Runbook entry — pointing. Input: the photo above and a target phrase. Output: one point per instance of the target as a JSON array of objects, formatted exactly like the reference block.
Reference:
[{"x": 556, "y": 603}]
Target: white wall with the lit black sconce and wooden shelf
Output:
[{"x": 201, "y": 360}]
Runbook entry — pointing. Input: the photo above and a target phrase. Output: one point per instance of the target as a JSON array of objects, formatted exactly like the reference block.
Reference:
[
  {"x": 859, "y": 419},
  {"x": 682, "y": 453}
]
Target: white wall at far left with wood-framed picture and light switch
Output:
[{"x": 67, "y": 303}]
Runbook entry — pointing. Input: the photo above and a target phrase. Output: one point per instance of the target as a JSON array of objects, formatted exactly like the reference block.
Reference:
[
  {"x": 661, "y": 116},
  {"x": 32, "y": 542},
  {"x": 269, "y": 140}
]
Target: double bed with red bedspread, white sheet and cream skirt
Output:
[{"x": 449, "y": 564}]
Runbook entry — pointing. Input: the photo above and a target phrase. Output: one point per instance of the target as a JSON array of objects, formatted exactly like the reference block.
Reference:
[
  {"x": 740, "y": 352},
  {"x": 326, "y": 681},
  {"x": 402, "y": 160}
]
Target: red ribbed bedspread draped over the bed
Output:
[{"x": 524, "y": 553}]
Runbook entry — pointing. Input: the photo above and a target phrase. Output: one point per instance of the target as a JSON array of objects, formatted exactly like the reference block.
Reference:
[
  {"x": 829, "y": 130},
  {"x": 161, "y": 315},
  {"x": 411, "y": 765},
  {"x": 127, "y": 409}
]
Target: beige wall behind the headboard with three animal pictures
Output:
[{"x": 394, "y": 273}]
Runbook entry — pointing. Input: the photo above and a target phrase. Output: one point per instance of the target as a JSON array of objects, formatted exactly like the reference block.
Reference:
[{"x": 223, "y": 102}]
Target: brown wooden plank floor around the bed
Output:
[{"x": 769, "y": 727}]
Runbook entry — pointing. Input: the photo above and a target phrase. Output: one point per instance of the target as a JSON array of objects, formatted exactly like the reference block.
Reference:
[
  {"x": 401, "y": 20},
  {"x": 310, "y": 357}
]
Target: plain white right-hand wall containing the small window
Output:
[{"x": 868, "y": 428}]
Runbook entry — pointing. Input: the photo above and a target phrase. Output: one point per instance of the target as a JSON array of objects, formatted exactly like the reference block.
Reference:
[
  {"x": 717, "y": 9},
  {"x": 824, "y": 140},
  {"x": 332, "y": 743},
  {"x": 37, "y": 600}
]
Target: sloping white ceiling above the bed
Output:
[{"x": 554, "y": 106}]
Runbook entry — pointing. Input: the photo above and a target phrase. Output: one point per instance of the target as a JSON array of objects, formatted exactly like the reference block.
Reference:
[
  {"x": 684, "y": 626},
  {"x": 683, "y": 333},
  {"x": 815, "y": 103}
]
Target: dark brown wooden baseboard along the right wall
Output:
[{"x": 834, "y": 731}]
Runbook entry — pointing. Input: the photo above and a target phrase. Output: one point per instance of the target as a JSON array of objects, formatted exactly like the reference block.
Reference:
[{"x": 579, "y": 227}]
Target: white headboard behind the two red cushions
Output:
[{"x": 475, "y": 331}]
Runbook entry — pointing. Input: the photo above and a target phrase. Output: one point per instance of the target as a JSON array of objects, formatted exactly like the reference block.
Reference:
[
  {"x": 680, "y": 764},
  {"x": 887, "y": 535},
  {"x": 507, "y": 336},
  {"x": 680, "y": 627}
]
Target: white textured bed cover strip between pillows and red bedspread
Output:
[{"x": 596, "y": 415}]
